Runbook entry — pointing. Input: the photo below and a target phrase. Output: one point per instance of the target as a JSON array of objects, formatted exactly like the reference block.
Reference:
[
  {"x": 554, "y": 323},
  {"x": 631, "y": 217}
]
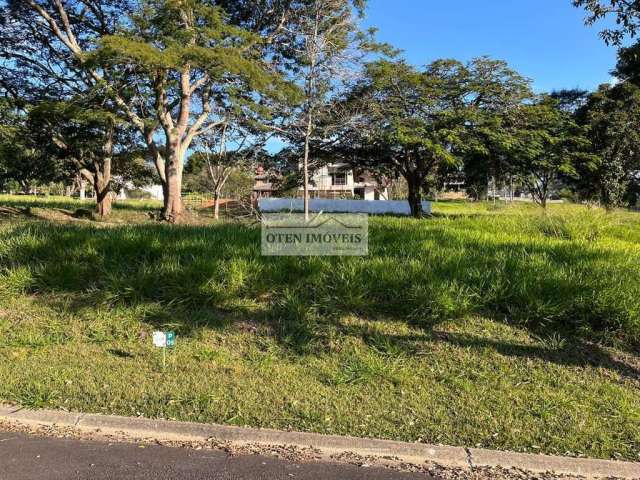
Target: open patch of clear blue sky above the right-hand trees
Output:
[{"x": 545, "y": 40}]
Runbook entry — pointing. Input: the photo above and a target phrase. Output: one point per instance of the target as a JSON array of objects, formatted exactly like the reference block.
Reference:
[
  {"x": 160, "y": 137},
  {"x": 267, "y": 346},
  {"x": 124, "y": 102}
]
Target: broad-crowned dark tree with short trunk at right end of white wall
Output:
[{"x": 413, "y": 123}]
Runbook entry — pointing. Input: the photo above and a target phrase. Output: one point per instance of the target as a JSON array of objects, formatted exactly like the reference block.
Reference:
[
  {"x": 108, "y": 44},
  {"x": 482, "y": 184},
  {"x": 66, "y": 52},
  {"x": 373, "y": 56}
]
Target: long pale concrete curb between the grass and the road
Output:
[{"x": 414, "y": 453}]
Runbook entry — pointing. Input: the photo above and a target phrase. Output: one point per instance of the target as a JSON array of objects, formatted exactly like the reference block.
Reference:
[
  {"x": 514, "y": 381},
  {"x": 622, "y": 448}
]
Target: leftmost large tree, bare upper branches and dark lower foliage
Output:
[{"x": 41, "y": 62}]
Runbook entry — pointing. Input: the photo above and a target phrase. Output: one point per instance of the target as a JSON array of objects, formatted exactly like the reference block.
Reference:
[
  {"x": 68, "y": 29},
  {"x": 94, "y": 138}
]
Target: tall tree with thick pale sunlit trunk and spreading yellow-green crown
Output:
[{"x": 197, "y": 66}]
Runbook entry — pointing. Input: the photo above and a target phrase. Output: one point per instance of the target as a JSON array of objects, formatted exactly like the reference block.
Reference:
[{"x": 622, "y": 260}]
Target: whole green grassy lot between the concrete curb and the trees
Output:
[{"x": 486, "y": 325}]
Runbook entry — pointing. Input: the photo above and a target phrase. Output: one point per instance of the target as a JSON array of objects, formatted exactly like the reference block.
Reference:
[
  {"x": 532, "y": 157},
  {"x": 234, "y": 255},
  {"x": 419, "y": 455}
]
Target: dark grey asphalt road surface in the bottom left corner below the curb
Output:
[{"x": 25, "y": 457}]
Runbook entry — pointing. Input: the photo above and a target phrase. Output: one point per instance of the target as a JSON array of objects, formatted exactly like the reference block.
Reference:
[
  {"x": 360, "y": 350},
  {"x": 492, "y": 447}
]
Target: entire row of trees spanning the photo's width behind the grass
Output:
[{"x": 115, "y": 92}]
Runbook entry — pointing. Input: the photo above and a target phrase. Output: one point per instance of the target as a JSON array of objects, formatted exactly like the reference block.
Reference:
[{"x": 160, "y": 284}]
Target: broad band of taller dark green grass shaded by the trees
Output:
[{"x": 418, "y": 272}]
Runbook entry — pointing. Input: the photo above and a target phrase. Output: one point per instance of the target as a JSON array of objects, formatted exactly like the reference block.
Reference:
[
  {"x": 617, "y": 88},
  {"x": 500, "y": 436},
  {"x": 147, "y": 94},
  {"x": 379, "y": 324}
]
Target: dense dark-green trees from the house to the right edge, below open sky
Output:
[{"x": 481, "y": 122}]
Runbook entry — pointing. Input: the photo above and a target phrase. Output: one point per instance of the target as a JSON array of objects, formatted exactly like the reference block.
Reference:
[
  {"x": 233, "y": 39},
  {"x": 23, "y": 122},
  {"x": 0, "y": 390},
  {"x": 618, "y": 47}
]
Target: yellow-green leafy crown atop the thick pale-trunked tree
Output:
[{"x": 209, "y": 44}]
